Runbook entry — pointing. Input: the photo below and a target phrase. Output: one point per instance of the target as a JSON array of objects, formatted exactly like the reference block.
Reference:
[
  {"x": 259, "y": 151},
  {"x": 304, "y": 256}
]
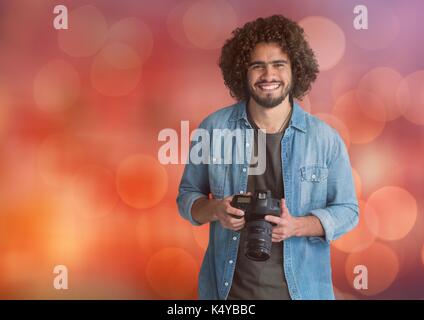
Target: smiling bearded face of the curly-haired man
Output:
[{"x": 269, "y": 76}]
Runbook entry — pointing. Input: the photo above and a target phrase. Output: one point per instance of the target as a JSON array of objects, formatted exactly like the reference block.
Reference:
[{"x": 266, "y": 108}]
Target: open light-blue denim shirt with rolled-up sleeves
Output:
[{"x": 318, "y": 181}]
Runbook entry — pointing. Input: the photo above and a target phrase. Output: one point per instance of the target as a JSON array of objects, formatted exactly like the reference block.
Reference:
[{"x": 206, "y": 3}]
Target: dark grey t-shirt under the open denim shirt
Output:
[{"x": 263, "y": 279}]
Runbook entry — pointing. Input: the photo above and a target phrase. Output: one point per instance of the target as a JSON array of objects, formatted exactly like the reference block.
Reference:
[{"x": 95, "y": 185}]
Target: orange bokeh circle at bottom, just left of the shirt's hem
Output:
[{"x": 172, "y": 273}]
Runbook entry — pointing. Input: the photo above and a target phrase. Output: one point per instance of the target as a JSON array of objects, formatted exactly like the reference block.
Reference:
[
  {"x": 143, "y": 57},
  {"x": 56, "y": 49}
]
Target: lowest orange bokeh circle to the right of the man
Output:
[{"x": 382, "y": 266}]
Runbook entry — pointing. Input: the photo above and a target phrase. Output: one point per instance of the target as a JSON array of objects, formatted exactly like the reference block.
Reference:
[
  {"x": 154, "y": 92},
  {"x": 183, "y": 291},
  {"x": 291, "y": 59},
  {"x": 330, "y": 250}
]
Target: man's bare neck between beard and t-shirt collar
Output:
[{"x": 270, "y": 119}]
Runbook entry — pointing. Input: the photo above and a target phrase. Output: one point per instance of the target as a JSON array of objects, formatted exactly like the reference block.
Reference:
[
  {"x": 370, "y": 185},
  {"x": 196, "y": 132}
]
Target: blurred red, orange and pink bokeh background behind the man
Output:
[{"x": 80, "y": 114}]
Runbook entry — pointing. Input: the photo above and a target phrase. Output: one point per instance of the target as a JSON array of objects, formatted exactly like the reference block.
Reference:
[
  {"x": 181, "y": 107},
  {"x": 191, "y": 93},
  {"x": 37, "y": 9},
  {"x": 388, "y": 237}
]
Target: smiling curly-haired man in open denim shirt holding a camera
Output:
[{"x": 266, "y": 64}]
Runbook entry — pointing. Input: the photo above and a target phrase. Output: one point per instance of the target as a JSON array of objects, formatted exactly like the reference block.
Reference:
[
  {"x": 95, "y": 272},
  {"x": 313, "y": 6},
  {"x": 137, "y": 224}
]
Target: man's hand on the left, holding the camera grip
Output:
[{"x": 230, "y": 217}]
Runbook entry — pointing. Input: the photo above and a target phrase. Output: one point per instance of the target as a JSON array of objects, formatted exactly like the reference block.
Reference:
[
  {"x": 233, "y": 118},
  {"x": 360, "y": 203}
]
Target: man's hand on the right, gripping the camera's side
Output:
[{"x": 286, "y": 224}]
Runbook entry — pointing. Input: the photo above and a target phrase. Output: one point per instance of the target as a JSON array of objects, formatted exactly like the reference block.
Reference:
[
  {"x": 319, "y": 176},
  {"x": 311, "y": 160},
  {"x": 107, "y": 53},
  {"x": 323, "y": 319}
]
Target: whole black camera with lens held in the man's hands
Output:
[{"x": 259, "y": 231}]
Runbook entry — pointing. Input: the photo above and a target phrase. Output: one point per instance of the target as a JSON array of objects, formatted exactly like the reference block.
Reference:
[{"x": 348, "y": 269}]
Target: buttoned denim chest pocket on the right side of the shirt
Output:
[{"x": 313, "y": 186}]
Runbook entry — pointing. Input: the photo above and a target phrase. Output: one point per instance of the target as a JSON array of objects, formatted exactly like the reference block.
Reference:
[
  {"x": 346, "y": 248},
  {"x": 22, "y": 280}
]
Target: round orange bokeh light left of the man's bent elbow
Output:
[{"x": 141, "y": 181}]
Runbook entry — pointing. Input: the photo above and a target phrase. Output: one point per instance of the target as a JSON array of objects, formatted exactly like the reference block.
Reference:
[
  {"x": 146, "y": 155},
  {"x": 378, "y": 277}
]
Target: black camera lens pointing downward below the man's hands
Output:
[{"x": 259, "y": 240}]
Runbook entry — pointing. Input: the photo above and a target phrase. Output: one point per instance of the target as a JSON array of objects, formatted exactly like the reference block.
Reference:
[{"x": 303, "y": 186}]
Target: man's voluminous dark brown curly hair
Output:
[{"x": 235, "y": 54}]
